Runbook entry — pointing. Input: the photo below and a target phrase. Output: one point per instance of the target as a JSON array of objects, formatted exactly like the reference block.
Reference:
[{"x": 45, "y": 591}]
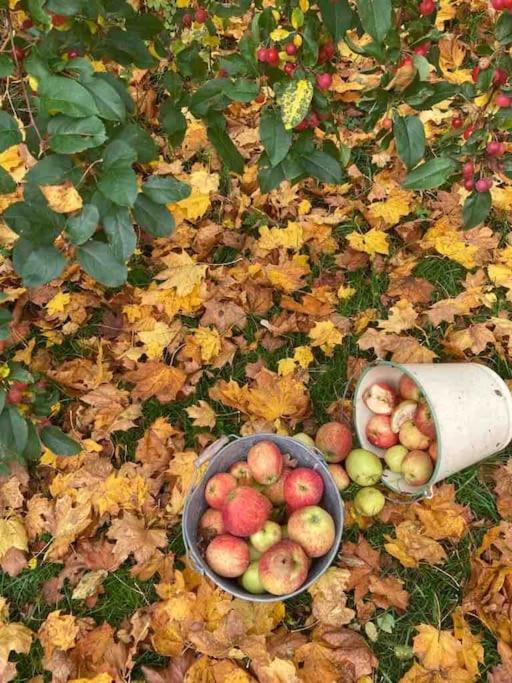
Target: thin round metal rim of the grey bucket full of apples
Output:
[{"x": 198, "y": 561}]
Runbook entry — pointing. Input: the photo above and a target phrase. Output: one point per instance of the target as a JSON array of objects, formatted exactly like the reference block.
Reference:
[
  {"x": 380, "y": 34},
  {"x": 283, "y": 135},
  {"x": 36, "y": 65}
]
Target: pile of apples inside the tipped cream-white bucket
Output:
[{"x": 402, "y": 424}]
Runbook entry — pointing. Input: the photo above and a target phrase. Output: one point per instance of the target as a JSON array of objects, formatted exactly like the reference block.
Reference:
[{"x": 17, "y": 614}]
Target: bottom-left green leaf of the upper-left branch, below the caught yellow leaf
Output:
[{"x": 37, "y": 265}]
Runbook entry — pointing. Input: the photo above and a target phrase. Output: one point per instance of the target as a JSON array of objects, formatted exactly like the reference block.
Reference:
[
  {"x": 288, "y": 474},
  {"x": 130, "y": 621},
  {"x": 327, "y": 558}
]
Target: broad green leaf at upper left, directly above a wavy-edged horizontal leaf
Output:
[{"x": 66, "y": 96}]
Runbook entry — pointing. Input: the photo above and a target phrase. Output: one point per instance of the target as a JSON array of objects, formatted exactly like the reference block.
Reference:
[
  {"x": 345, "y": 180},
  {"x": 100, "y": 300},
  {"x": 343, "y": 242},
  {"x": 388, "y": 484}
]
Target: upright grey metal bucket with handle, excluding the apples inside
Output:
[{"x": 222, "y": 454}]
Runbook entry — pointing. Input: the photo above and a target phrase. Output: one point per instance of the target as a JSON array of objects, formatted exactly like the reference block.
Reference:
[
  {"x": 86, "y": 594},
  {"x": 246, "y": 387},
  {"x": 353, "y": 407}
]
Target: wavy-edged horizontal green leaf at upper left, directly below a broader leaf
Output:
[{"x": 69, "y": 135}]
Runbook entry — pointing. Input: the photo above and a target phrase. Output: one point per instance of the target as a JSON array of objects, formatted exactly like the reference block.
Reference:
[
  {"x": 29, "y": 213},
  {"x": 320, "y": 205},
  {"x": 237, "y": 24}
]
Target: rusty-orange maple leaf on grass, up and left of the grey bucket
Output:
[{"x": 156, "y": 379}]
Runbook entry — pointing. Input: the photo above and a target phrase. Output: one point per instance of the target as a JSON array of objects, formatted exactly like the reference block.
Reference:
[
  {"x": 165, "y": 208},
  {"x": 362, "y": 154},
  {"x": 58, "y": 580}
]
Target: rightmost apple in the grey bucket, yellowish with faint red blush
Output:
[{"x": 313, "y": 528}]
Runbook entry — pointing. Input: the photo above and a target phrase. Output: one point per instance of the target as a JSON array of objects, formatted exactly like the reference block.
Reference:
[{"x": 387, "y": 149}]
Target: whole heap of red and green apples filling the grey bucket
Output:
[{"x": 264, "y": 523}]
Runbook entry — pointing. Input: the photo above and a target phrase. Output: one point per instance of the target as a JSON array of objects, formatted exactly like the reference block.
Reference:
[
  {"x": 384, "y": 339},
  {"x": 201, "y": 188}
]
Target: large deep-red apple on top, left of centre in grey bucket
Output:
[{"x": 245, "y": 511}]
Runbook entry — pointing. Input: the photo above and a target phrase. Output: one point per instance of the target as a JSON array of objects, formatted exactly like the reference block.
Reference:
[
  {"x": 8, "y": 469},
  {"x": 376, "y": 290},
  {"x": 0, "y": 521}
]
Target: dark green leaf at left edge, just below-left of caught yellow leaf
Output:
[{"x": 34, "y": 222}]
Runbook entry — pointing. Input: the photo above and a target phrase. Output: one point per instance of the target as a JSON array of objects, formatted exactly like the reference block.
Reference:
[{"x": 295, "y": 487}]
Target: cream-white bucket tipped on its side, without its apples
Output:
[{"x": 471, "y": 407}]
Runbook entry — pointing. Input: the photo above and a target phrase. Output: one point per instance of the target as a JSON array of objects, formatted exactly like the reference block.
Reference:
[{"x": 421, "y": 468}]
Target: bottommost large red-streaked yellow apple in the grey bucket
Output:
[{"x": 283, "y": 568}]
